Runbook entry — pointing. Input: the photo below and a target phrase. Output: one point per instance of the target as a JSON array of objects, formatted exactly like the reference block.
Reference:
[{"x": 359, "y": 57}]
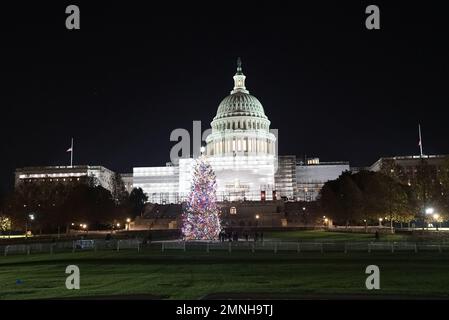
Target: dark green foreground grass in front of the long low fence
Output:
[{"x": 192, "y": 275}]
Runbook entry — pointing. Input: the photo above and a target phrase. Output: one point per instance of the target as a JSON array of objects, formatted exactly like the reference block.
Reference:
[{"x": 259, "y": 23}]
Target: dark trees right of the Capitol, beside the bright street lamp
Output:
[{"x": 393, "y": 194}]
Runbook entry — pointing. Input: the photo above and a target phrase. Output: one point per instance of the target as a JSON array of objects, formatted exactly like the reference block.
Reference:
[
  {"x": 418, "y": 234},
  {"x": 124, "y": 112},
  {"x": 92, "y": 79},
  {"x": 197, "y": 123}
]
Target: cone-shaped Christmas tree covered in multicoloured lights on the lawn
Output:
[{"x": 200, "y": 217}]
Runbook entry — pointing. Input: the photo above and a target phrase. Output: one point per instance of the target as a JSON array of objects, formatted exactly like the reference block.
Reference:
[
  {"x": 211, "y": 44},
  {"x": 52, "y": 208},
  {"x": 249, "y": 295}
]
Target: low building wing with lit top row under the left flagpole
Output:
[{"x": 66, "y": 175}]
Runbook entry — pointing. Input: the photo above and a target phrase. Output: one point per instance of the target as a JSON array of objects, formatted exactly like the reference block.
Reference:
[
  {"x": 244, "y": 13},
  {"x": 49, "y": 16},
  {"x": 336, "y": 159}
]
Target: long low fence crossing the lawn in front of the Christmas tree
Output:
[{"x": 213, "y": 246}]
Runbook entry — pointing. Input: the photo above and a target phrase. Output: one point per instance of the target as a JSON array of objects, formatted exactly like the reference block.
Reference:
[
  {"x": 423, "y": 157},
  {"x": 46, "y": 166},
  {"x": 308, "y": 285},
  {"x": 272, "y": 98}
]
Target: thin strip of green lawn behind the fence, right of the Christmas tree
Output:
[{"x": 320, "y": 235}]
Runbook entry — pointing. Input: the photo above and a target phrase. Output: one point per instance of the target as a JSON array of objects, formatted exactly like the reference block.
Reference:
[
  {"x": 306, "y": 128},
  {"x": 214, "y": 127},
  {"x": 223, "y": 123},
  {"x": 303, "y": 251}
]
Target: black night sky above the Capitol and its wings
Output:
[{"x": 135, "y": 72}]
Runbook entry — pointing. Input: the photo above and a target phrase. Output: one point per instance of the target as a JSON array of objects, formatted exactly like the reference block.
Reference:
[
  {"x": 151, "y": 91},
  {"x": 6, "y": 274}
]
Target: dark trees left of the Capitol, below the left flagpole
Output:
[{"x": 50, "y": 207}]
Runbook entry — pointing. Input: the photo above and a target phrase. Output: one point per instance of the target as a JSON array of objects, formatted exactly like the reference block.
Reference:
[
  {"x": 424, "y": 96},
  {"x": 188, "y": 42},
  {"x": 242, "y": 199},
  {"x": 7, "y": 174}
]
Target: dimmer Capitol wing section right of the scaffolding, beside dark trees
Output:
[{"x": 313, "y": 174}]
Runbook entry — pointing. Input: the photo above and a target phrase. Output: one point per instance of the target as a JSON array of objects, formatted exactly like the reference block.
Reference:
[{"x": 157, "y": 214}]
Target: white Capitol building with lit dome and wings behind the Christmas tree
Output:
[{"x": 242, "y": 150}]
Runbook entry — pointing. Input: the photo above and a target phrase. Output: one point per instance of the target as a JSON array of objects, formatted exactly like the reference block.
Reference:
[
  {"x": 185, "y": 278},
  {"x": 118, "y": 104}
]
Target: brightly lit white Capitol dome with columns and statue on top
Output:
[{"x": 240, "y": 126}]
